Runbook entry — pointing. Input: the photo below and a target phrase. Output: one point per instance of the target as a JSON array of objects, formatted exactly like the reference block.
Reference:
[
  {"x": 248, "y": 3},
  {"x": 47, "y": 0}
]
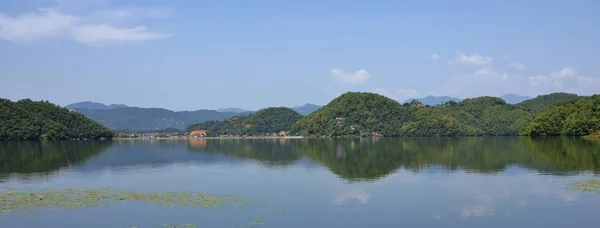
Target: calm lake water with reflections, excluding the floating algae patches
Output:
[{"x": 414, "y": 182}]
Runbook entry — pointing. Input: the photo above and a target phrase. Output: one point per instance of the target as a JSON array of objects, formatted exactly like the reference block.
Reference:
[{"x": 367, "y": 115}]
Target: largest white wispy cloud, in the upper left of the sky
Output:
[{"x": 46, "y": 23}]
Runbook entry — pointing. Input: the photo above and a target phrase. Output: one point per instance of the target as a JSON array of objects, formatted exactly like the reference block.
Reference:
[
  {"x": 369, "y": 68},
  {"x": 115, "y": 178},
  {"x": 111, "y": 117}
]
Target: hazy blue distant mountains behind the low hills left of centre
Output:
[{"x": 122, "y": 117}]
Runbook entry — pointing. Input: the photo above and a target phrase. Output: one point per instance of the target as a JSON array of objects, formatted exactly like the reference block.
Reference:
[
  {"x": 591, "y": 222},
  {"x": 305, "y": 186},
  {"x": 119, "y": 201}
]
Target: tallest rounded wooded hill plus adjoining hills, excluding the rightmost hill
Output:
[{"x": 368, "y": 113}]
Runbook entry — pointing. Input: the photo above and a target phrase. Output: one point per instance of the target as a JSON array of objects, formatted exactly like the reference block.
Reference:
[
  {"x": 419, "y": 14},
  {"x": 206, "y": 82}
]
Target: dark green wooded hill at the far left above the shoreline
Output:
[{"x": 29, "y": 120}]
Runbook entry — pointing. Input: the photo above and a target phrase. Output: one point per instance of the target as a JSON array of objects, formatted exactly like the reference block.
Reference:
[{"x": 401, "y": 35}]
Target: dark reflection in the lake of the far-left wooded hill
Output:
[{"x": 46, "y": 156}]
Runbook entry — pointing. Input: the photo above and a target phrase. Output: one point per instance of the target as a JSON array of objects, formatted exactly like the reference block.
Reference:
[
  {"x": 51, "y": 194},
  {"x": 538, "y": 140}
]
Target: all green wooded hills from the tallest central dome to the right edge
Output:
[{"x": 371, "y": 114}]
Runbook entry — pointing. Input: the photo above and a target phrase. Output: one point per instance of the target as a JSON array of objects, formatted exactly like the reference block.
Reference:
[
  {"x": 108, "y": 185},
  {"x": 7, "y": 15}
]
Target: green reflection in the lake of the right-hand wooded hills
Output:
[{"x": 361, "y": 159}]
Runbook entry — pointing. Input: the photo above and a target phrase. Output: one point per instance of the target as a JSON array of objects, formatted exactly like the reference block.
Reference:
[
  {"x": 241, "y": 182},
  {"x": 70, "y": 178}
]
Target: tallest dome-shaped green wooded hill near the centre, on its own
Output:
[{"x": 364, "y": 113}]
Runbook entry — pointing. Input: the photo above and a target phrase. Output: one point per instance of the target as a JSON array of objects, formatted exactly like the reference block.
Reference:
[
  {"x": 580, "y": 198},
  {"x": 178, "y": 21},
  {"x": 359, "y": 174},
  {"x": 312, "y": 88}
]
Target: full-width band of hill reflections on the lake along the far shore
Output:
[{"x": 351, "y": 159}]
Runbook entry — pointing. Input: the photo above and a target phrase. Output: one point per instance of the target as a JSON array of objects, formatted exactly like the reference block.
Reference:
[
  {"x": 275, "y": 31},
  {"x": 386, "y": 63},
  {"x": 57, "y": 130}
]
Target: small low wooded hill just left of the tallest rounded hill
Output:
[{"x": 264, "y": 122}]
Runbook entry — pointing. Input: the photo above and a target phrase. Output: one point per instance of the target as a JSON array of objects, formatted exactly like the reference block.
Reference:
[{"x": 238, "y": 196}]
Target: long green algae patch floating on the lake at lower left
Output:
[{"x": 29, "y": 201}]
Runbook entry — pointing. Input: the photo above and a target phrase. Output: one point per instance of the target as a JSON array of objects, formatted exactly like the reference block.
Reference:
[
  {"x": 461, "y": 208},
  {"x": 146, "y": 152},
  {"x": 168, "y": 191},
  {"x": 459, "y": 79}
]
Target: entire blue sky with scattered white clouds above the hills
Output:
[{"x": 187, "y": 55}]
